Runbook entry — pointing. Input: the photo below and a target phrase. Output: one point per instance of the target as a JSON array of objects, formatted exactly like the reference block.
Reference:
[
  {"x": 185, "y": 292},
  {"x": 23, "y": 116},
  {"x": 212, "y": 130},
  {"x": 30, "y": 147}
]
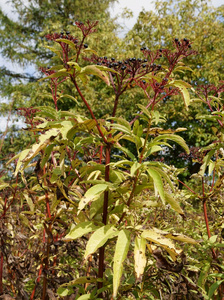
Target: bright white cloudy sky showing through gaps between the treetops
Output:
[{"x": 116, "y": 9}]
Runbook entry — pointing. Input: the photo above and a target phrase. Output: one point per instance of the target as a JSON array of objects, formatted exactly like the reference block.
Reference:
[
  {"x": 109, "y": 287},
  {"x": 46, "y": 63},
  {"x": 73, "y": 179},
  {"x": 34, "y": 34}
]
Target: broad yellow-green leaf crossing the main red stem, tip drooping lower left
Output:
[{"x": 99, "y": 238}]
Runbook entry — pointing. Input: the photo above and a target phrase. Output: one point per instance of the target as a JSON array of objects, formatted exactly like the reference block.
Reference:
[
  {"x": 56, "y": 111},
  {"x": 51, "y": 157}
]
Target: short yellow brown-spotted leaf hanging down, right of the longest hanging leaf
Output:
[{"x": 139, "y": 256}]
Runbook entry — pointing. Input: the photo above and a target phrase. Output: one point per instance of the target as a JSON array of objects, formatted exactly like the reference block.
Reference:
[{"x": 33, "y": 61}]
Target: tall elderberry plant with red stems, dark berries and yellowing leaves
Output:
[{"x": 89, "y": 187}]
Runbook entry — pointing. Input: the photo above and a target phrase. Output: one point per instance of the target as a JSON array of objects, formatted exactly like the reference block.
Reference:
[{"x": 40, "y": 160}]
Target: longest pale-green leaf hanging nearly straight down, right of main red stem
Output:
[{"x": 121, "y": 251}]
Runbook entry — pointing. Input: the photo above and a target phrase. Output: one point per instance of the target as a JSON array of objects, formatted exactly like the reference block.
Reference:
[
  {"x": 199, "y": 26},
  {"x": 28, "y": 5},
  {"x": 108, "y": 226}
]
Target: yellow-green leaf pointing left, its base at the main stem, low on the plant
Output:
[{"x": 80, "y": 230}]
